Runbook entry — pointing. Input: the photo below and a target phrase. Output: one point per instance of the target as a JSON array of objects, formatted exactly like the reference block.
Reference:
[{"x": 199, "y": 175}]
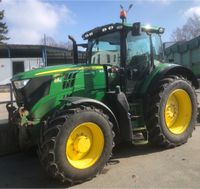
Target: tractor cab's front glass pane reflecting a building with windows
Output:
[{"x": 105, "y": 49}]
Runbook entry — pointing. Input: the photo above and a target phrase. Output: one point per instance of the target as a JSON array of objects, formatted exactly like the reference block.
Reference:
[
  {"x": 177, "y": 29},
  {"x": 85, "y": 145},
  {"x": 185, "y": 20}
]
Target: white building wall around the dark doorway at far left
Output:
[{"x": 6, "y": 69}]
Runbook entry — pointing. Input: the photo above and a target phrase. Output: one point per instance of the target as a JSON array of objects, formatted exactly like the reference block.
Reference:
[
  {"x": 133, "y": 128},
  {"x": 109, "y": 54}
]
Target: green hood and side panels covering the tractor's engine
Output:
[{"x": 69, "y": 80}]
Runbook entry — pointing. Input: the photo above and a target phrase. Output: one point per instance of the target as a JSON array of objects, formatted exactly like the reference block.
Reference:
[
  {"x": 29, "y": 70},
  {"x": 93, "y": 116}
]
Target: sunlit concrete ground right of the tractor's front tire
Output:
[{"x": 147, "y": 167}]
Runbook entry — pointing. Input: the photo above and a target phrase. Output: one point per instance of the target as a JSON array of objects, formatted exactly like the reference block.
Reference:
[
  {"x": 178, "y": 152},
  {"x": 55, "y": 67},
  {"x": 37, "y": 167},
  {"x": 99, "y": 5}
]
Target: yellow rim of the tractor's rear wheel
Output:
[{"x": 178, "y": 111}]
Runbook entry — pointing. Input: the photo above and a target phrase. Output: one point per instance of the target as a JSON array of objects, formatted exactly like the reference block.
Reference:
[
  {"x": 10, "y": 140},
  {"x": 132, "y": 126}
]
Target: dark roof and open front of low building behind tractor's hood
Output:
[{"x": 50, "y": 55}]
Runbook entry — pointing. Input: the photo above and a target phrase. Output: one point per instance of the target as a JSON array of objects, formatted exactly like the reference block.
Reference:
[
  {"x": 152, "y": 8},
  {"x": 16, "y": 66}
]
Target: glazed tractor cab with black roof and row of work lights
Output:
[{"x": 129, "y": 52}]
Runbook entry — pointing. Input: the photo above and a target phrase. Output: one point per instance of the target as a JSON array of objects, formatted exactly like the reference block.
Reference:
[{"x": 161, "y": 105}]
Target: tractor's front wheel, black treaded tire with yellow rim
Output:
[{"x": 77, "y": 145}]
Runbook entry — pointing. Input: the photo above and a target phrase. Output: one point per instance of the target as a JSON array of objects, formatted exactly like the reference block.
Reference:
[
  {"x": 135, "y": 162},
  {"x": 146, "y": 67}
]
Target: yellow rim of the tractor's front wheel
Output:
[{"x": 84, "y": 145}]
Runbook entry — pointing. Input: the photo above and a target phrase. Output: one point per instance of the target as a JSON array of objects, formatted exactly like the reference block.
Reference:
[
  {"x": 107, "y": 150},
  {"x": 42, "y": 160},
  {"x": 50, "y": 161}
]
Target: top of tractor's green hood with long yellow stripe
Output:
[{"x": 52, "y": 70}]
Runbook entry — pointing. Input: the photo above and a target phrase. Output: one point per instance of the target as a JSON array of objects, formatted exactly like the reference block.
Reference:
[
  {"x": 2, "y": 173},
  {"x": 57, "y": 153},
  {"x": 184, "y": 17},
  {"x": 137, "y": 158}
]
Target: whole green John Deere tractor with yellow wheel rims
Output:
[{"x": 125, "y": 91}]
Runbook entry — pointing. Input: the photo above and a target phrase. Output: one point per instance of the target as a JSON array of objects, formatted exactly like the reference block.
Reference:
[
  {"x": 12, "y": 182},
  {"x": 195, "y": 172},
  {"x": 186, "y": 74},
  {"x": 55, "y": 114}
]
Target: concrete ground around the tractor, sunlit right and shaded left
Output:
[{"x": 131, "y": 167}]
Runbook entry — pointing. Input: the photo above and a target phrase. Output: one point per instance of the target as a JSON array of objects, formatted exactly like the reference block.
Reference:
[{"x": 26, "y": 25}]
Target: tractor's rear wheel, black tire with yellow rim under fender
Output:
[{"x": 171, "y": 112}]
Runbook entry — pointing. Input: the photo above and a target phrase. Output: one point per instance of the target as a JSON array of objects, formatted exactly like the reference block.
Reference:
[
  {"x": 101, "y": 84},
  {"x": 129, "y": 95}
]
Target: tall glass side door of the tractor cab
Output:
[{"x": 138, "y": 60}]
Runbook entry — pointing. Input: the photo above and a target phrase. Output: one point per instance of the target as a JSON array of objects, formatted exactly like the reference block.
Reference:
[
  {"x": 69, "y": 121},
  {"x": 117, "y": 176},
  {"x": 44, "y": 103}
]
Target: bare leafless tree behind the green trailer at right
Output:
[{"x": 189, "y": 30}]
